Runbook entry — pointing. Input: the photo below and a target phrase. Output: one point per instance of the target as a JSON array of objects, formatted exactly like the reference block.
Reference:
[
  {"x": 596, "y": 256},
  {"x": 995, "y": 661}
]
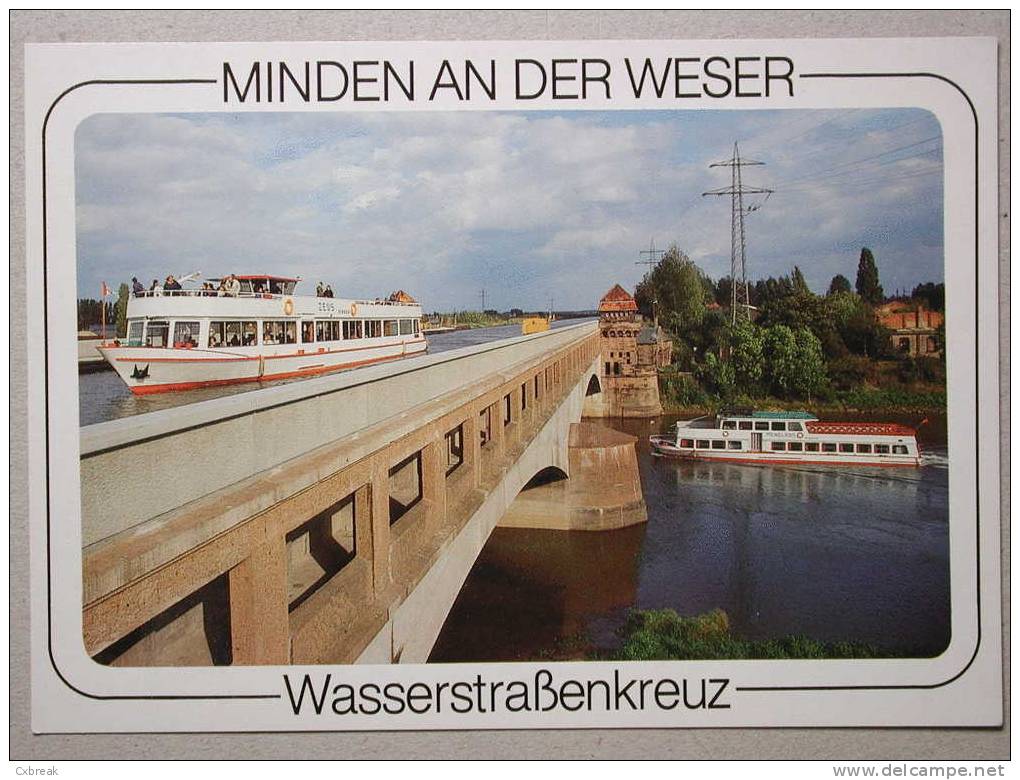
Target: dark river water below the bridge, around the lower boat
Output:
[{"x": 856, "y": 554}]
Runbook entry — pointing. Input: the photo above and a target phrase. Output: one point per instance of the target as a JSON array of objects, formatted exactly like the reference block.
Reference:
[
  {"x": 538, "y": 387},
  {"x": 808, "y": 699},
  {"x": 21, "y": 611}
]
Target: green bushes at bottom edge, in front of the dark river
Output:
[{"x": 666, "y": 636}]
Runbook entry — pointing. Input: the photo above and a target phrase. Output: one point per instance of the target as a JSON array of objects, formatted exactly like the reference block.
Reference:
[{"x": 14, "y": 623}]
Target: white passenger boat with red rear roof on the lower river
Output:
[{"x": 746, "y": 436}]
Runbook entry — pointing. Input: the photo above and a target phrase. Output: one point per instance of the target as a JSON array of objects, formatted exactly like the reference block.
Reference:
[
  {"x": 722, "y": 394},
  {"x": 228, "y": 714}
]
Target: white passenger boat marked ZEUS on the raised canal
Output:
[{"x": 257, "y": 330}]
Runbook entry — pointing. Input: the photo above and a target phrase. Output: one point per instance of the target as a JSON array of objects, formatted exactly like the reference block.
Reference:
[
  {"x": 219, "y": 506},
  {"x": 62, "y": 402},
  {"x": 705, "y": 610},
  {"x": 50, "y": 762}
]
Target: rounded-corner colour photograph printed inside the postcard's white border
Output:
[{"x": 513, "y": 386}]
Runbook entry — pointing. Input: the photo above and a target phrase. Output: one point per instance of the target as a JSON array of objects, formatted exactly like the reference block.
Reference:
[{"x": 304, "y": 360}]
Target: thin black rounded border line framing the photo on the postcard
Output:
[{"x": 111, "y": 82}]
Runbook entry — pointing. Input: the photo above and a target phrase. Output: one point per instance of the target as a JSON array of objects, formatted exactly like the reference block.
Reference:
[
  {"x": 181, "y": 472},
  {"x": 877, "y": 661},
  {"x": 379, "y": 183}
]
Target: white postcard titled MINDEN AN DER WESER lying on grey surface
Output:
[{"x": 514, "y": 385}]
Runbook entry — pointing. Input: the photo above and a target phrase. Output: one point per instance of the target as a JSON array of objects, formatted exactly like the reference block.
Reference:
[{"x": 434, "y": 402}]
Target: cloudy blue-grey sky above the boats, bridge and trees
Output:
[{"x": 528, "y": 206}]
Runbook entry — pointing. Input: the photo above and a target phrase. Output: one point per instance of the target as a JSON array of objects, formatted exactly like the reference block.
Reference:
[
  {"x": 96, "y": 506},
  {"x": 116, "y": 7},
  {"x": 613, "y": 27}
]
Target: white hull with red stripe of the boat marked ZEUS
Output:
[{"x": 151, "y": 371}]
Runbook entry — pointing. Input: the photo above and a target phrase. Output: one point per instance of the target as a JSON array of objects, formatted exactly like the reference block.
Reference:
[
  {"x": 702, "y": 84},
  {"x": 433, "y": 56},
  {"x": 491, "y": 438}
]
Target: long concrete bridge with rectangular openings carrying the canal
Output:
[{"x": 331, "y": 521}]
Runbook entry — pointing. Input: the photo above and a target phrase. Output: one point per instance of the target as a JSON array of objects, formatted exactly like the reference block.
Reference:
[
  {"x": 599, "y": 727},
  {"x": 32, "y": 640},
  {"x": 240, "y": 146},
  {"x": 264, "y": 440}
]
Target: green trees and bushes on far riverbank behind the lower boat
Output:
[{"x": 821, "y": 352}]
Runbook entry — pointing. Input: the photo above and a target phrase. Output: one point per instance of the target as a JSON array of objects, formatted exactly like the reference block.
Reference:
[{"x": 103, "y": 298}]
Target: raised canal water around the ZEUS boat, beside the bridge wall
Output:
[{"x": 104, "y": 397}]
